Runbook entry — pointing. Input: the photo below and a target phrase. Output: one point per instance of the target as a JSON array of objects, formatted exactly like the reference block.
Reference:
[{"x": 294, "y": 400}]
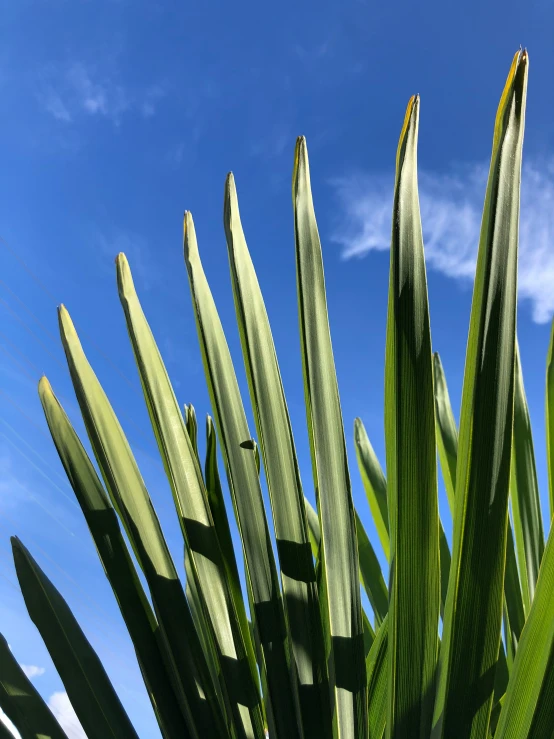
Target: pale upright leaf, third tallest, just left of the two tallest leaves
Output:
[{"x": 339, "y": 553}]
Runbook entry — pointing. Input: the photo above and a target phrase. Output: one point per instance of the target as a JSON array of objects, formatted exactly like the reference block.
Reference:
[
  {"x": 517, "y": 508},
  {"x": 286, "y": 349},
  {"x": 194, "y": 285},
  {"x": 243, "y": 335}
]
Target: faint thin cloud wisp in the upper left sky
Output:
[{"x": 80, "y": 89}]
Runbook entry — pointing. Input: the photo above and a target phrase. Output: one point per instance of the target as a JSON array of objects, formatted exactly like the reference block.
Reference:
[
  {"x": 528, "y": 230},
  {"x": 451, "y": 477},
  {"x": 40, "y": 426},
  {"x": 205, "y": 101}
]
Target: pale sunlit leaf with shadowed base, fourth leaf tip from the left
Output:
[{"x": 189, "y": 670}]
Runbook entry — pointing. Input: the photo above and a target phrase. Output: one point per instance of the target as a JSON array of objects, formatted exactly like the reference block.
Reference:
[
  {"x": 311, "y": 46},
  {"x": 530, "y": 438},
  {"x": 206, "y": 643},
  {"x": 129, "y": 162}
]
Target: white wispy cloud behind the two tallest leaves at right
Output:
[{"x": 451, "y": 205}]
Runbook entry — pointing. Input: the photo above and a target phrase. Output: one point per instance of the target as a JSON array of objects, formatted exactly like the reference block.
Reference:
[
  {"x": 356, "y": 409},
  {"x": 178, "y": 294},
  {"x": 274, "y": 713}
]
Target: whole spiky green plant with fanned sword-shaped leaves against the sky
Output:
[{"x": 301, "y": 658}]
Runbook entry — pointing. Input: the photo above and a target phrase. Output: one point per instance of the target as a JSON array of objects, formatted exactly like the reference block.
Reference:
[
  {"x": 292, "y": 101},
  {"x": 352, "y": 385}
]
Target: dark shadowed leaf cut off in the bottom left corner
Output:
[{"x": 22, "y": 703}]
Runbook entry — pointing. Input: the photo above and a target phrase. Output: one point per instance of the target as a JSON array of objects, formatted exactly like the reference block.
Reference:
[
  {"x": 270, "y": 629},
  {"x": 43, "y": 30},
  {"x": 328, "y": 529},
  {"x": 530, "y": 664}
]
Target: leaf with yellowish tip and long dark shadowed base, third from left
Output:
[{"x": 116, "y": 560}]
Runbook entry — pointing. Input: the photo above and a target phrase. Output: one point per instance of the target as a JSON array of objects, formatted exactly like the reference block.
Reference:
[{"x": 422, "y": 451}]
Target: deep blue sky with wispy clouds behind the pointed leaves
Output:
[{"x": 119, "y": 115}]
